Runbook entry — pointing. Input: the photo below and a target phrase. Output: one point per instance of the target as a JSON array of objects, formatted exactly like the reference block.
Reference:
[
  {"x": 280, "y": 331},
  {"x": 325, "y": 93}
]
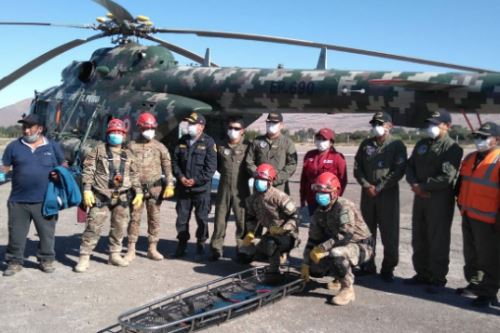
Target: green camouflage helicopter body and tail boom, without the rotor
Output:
[{"x": 129, "y": 79}]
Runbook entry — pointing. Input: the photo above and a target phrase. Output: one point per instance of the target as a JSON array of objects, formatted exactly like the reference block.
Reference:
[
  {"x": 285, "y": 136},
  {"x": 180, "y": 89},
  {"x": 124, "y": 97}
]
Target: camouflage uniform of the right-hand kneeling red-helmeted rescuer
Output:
[{"x": 340, "y": 231}]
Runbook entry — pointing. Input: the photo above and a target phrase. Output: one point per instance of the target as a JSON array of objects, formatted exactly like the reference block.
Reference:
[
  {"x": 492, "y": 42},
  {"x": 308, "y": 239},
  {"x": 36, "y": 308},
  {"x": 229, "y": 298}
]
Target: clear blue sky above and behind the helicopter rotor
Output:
[{"x": 455, "y": 31}]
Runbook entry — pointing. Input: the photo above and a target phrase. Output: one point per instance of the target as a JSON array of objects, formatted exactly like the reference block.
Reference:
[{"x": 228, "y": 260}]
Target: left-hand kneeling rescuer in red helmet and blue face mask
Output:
[{"x": 274, "y": 210}]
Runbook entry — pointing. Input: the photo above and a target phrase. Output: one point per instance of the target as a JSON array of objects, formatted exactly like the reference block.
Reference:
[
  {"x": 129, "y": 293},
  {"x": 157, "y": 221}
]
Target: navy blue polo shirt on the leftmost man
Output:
[{"x": 31, "y": 169}]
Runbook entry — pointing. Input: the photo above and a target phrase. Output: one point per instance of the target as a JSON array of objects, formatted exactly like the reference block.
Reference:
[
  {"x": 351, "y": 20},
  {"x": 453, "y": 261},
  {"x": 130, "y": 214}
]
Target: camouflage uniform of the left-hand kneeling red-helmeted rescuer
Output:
[{"x": 273, "y": 208}]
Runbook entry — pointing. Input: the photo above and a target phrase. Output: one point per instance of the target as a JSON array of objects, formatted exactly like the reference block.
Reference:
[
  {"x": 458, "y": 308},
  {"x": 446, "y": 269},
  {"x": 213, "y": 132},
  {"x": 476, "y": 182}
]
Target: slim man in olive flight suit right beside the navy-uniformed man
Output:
[{"x": 233, "y": 187}]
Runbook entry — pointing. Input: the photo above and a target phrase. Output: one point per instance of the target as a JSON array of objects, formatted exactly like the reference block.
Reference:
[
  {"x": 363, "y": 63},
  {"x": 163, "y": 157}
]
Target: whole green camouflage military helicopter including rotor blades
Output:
[{"x": 129, "y": 78}]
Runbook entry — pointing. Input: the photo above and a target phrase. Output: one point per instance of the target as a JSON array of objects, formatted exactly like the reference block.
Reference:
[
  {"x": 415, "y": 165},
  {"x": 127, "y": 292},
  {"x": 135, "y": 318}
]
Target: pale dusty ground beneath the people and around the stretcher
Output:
[{"x": 33, "y": 301}]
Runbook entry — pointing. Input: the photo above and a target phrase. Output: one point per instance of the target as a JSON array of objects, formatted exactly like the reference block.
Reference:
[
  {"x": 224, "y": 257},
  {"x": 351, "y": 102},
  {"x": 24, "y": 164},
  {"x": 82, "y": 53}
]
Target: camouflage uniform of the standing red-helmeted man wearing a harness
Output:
[{"x": 115, "y": 200}]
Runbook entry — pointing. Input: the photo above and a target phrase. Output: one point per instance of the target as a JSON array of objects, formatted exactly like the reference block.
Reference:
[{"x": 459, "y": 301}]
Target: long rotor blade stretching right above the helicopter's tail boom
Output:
[{"x": 299, "y": 42}]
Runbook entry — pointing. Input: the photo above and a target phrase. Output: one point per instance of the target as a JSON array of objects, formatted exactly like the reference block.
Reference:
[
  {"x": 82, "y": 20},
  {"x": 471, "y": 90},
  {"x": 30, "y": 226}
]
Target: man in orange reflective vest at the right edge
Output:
[{"x": 478, "y": 200}]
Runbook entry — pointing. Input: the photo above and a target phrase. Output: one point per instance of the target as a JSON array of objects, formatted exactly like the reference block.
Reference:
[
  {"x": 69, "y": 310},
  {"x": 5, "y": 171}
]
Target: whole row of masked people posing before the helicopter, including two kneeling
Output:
[{"x": 120, "y": 179}]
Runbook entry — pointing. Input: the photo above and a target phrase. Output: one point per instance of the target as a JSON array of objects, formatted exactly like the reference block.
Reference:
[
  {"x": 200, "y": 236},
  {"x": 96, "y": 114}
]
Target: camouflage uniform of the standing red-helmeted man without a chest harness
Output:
[{"x": 152, "y": 158}]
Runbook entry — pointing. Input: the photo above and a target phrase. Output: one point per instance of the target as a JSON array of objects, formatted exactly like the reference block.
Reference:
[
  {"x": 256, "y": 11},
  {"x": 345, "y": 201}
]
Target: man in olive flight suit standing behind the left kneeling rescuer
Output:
[{"x": 275, "y": 149}]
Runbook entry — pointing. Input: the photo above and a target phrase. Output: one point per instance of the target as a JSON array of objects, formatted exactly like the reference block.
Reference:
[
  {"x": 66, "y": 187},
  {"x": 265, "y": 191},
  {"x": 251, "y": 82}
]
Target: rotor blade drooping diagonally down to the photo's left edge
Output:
[{"x": 5, "y": 81}]
